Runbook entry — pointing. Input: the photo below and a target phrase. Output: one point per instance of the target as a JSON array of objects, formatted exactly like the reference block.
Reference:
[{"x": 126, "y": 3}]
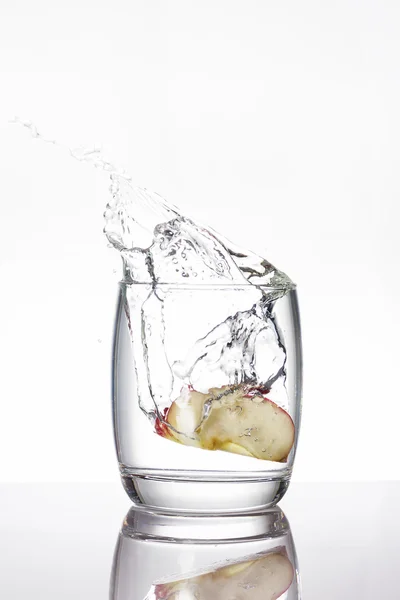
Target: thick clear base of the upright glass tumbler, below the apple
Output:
[{"x": 206, "y": 493}]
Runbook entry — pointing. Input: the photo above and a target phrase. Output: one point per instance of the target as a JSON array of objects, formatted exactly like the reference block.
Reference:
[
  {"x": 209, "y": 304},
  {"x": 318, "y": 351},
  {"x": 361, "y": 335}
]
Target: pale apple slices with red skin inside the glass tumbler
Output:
[{"x": 235, "y": 419}]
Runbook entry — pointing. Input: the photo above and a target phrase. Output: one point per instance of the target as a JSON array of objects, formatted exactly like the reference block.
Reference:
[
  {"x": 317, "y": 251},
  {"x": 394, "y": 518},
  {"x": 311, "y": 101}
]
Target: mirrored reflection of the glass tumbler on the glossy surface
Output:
[{"x": 161, "y": 557}]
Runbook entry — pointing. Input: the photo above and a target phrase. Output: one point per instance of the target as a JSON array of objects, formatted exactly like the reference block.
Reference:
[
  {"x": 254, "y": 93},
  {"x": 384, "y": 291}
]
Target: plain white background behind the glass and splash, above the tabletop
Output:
[{"x": 278, "y": 123}]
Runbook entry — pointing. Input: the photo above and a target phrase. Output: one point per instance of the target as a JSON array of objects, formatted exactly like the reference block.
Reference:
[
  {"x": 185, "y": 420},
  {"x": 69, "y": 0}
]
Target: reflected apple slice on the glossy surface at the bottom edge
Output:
[{"x": 265, "y": 578}]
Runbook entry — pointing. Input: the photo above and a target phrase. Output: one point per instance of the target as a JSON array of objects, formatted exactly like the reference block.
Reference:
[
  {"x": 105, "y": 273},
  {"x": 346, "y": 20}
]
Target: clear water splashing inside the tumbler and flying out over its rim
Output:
[{"x": 160, "y": 246}]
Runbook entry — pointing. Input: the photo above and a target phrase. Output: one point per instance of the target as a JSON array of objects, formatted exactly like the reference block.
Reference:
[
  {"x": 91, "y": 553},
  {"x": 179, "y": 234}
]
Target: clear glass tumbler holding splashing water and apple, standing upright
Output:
[{"x": 206, "y": 395}]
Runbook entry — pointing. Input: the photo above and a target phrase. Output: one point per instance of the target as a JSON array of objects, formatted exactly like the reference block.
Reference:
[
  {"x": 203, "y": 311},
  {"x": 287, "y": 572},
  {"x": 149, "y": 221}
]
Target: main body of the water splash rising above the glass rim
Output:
[{"x": 160, "y": 245}]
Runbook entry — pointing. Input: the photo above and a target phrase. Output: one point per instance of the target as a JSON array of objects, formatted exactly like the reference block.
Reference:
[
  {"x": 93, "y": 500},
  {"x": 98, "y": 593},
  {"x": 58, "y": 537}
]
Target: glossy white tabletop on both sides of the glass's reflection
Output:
[{"x": 58, "y": 540}]
